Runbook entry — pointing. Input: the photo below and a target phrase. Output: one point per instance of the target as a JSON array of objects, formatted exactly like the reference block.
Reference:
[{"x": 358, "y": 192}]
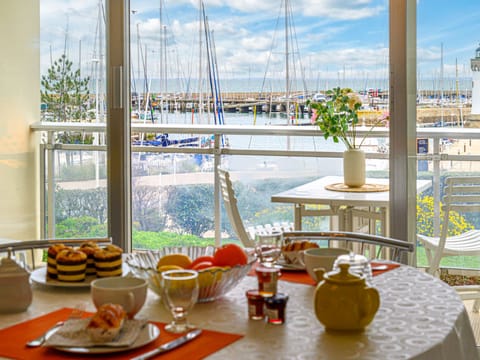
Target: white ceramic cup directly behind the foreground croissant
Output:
[{"x": 130, "y": 292}]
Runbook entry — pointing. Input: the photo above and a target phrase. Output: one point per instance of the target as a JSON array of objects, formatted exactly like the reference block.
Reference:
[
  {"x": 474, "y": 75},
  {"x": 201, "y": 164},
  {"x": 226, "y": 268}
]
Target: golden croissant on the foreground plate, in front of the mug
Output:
[{"x": 106, "y": 323}]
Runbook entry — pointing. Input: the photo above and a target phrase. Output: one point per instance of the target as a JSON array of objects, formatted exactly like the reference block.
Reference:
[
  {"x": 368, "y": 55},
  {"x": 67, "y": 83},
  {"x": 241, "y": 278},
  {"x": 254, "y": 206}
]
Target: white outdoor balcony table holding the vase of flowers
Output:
[{"x": 327, "y": 196}]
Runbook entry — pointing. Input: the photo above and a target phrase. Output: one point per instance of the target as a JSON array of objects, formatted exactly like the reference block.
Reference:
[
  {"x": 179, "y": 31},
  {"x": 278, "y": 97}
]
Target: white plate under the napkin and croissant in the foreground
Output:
[{"x": 148, "y": 334}]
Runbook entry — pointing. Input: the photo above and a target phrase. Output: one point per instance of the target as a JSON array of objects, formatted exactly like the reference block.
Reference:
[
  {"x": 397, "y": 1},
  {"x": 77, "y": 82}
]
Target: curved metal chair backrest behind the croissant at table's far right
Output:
[{"x": 397, "y": 249}]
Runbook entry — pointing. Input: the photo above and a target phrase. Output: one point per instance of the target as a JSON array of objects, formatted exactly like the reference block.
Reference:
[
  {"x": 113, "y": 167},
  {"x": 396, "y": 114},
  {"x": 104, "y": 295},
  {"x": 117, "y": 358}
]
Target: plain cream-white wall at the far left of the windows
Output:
[{"x": 20, "y": 107}]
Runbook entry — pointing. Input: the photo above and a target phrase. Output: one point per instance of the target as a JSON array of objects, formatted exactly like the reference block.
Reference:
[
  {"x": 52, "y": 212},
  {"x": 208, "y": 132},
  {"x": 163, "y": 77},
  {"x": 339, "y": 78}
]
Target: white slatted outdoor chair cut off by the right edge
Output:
[{"x": 462, "y": 195}]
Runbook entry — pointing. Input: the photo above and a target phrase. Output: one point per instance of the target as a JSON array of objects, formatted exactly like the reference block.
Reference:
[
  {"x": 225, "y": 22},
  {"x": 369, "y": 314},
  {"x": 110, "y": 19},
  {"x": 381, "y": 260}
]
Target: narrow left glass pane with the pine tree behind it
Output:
[{"x": 72, "y": 70}]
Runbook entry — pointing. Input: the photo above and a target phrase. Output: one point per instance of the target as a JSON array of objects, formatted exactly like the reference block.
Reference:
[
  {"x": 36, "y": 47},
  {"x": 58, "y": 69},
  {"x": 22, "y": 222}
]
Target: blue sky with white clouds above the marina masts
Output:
[{"x": 333, "y": 38}]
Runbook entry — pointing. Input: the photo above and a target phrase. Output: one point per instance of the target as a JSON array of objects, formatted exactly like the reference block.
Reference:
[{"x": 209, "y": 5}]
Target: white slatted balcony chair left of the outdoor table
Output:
[{"x": 245, "y": 235}]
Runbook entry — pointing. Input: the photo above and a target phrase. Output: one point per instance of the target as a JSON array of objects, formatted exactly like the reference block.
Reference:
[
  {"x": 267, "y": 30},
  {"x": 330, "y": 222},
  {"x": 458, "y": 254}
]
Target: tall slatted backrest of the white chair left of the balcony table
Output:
[{"x": 230, "y": 202}]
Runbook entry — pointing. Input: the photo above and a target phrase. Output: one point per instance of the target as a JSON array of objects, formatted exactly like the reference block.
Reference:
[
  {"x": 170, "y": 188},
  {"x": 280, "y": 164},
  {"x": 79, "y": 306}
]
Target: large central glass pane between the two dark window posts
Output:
[{"x": 199, "y": 64}]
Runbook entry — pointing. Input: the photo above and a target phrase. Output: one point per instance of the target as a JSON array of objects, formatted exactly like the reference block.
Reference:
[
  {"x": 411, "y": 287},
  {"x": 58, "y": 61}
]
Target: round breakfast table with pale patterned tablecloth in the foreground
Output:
[{"x": 420, "y": 317}]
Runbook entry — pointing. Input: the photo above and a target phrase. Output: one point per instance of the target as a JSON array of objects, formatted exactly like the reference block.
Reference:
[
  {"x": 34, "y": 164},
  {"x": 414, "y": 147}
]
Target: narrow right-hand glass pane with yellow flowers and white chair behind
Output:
[{"x": 447, "y": 121}]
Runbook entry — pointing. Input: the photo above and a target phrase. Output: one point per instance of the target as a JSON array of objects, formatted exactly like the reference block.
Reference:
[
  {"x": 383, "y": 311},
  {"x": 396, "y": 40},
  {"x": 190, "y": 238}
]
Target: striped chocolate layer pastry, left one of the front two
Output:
[{"x": 71, "y": 265}]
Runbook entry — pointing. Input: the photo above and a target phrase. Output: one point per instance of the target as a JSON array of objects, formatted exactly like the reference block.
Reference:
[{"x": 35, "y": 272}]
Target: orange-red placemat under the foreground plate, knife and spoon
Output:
[{"x": 13, "y": 341}]
